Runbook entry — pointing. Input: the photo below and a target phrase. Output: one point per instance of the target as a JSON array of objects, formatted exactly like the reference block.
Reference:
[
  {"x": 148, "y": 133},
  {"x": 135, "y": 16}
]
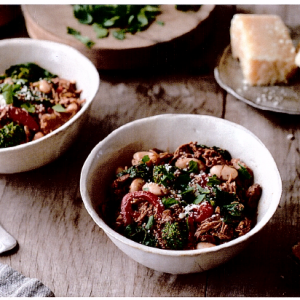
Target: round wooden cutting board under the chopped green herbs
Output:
[{"x": 181, "y": 32}]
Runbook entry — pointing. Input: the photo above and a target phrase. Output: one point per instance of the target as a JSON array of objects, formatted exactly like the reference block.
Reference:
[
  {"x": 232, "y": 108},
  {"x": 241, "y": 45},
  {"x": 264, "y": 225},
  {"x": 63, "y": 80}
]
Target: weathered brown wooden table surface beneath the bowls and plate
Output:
[{"x": 59, "y": 243}]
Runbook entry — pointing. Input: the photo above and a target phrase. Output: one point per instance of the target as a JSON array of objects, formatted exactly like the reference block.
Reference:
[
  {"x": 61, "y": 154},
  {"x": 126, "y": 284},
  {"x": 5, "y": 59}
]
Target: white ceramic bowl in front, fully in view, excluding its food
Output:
[{"x": 167, "y": 132}]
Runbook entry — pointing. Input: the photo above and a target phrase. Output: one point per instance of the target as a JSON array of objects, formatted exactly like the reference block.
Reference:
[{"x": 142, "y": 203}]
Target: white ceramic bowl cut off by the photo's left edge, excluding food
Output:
[{"x": 67, "y": 63}]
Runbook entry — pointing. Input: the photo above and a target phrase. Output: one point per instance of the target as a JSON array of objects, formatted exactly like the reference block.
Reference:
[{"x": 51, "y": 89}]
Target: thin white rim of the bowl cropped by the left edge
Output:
[{"x": 84, "y": 107}]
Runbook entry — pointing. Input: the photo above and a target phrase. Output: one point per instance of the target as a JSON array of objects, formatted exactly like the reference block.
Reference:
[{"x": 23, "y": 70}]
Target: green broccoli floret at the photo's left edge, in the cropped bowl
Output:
[{"x": 11, "y": 135}]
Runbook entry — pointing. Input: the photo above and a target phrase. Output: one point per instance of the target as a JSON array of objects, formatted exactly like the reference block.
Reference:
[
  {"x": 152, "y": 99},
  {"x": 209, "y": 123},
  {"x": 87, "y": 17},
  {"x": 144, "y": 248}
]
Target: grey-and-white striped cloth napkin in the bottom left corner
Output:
[{"x": 14, "y": 284}]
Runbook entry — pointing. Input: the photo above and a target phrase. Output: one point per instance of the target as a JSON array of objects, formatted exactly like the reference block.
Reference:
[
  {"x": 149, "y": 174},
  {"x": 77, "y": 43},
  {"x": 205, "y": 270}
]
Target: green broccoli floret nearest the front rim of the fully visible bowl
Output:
[{"x": 174, "y": 236}]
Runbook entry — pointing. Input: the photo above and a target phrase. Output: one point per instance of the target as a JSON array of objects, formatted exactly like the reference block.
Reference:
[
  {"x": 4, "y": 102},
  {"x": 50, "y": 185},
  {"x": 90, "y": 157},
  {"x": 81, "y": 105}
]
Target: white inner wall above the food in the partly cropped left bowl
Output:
[{"x": 62, "y": 60}]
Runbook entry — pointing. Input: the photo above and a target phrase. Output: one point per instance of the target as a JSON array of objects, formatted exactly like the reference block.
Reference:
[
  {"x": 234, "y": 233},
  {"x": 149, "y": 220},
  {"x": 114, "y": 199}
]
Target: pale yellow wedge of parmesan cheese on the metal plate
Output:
[{"x": 264, "y": 48}]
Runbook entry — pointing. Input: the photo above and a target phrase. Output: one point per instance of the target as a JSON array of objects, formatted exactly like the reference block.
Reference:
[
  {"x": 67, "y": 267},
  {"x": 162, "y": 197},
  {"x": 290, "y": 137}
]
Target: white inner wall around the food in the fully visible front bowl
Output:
[{"x": 167, "y": 132}]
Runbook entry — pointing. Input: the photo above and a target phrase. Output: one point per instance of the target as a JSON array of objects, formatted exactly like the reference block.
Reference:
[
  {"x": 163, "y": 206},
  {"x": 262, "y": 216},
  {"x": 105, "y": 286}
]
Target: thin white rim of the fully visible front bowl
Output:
[{"x": 166, "y": 252}]
